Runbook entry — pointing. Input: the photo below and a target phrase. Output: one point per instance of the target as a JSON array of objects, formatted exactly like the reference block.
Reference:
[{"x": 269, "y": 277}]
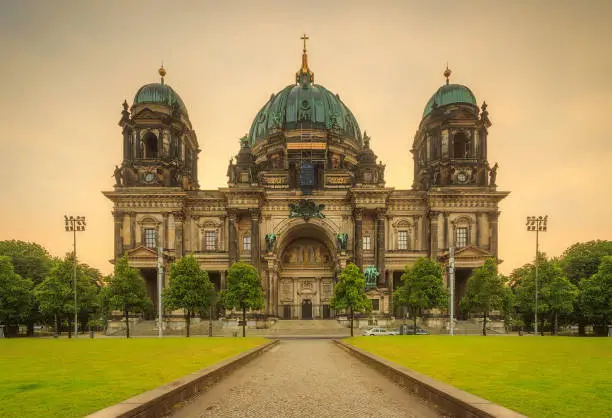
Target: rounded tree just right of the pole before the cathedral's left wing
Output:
[{"x": 189, "y": 289}]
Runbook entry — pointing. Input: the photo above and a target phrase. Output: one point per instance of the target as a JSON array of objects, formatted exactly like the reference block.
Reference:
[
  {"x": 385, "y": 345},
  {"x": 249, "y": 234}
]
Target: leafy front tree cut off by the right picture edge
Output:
[{"x": 597, "y": 296}]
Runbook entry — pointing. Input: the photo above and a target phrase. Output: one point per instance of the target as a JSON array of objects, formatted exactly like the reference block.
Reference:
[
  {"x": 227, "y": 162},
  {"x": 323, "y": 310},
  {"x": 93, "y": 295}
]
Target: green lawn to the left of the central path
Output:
[{"x": 64, "y": 378}]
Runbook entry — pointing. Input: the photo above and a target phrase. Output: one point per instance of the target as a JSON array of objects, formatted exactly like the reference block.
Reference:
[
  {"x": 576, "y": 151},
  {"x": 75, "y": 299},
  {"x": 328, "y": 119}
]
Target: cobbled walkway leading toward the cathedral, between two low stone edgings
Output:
[{"x": 306, "y": 378}]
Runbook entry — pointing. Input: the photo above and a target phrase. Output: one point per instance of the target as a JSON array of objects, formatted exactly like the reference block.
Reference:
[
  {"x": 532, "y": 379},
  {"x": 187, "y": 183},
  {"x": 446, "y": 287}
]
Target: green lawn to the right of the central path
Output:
[{"x": 539, "y": 377}]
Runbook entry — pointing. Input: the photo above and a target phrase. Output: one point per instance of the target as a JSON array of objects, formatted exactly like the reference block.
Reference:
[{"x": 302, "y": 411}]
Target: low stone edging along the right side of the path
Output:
[{"x": 447, "y": 398}]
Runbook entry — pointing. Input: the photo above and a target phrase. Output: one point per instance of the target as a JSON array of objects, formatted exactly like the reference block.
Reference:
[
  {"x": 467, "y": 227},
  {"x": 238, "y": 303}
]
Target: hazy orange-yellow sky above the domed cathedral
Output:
[{"x": 543, "y": 68}]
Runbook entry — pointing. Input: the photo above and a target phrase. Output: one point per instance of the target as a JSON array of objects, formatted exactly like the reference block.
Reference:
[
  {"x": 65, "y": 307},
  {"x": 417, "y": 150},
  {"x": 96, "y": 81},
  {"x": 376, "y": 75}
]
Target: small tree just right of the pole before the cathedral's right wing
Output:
[{"x": 484, "y": 291}]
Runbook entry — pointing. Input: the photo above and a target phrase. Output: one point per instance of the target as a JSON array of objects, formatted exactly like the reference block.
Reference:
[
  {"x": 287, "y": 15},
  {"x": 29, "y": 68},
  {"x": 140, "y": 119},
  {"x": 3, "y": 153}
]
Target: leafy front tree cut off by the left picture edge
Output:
[{"x": 15, "y": 295}]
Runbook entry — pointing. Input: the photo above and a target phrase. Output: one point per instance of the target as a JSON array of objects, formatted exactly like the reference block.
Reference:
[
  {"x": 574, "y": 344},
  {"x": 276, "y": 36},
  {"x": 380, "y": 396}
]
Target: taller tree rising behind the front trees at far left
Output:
[{"x": 30, "y": 261}]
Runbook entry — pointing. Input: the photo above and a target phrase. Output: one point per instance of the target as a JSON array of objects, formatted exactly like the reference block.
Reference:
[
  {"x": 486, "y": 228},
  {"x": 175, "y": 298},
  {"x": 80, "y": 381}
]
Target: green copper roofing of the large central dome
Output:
[{"x": 305, "y": 105}]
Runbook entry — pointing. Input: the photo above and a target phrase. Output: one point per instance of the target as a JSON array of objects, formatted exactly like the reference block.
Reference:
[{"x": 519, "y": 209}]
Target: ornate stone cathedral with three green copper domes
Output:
[{"x": 306, "y": 194}]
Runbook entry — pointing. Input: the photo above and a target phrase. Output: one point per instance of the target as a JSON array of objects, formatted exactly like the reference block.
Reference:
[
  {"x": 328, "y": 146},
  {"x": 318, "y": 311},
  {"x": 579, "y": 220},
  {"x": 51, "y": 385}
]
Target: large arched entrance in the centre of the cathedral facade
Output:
[{"x": 306, "y": 273}]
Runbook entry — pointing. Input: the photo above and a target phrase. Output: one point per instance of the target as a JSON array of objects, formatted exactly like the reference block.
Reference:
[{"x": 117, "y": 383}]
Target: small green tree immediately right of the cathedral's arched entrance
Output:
[{"x": 349, "y": 292}]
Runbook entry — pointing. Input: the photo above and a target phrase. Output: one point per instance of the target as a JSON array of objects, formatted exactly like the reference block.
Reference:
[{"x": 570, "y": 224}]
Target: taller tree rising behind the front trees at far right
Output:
[{"x": 581, "y": 261}]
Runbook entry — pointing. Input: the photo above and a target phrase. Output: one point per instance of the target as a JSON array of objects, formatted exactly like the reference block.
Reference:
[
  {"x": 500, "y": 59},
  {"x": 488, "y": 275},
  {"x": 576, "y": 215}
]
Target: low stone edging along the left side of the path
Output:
[{"x": 159, "y": 401}]
